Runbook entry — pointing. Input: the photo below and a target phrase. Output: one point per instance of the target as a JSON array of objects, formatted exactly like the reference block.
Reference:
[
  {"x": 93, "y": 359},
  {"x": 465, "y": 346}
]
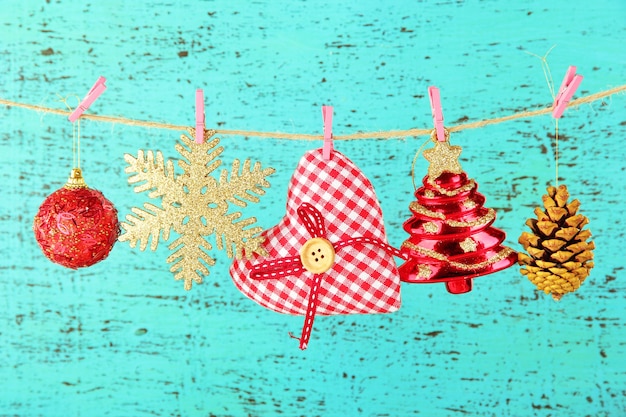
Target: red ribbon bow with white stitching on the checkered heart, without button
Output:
[{"x": 282, "y": 267}]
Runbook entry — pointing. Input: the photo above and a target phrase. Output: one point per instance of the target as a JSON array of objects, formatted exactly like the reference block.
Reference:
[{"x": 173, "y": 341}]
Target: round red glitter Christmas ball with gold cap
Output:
[{"x": 76, "y": 226}]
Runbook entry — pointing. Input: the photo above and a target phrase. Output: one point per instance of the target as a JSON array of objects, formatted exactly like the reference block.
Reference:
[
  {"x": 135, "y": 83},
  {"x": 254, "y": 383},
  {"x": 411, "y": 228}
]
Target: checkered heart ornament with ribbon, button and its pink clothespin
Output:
[{"x": 328, "y": 255}]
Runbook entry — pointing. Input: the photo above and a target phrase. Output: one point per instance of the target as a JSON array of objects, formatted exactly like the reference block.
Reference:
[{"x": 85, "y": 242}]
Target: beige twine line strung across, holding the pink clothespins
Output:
[{"x": 389, "y": 134}]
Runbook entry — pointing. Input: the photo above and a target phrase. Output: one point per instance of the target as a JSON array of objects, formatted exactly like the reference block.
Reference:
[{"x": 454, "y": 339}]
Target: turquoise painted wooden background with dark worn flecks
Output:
[{"x": 123, "y": 338}]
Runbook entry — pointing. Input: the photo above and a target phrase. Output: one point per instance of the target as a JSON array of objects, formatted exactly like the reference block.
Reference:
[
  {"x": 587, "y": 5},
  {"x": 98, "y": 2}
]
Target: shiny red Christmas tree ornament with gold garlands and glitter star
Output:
[{"x": 452, "y": 238}]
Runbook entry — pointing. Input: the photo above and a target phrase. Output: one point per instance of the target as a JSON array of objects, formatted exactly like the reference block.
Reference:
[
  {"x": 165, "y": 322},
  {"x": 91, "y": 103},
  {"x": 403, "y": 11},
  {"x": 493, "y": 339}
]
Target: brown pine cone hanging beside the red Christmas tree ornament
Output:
[{"x": 559, "y": 256}]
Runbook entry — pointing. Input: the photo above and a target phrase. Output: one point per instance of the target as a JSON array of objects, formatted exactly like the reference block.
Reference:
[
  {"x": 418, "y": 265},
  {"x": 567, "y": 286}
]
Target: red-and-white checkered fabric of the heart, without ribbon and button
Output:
[{"x": 364, "y": 278}]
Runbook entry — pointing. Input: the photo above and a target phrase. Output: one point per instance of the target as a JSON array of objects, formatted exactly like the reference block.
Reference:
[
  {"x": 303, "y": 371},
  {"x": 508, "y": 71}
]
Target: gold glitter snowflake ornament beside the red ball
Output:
[{"x": 195, "y": 205}]
